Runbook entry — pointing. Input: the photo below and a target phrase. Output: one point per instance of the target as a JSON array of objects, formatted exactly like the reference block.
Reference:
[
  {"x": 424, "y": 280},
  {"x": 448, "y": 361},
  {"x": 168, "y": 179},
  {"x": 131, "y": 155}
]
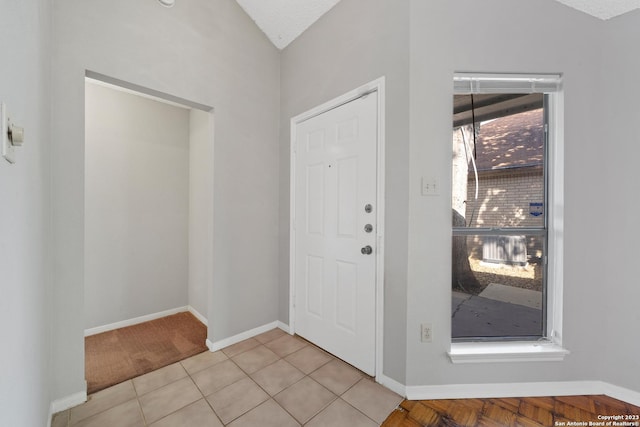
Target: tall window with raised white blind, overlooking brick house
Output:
[{"x": 506, "y": 194}]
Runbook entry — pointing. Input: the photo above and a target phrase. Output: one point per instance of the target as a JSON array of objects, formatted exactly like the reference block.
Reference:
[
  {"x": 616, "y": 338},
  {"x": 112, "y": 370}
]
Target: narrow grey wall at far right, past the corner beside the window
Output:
[{"x": 619, "y": 290}]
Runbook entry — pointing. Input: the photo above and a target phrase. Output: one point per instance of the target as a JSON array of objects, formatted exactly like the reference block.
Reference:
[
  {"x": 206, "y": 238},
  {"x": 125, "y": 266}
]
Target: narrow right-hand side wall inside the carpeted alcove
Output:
[{"x": 200, "y": 209}]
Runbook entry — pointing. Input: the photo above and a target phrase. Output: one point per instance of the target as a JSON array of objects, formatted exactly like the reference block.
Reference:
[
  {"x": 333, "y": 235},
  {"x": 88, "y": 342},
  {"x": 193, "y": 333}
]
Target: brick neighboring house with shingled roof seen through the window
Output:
[{"x": 509, "y": 161}]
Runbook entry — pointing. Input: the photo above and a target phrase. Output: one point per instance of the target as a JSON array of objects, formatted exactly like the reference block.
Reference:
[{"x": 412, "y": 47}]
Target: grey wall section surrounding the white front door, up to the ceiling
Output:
[{"x": 354, "y": 43}]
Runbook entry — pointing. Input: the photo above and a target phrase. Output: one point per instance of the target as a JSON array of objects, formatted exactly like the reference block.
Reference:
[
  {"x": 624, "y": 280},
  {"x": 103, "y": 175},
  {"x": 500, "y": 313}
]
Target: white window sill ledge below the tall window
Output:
[{"x": 506, "y": 352}]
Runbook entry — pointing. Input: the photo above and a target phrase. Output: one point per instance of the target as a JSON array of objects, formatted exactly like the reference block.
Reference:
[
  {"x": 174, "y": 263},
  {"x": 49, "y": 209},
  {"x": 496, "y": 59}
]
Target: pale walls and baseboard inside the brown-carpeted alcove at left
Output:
[{"x": 148, "y": 206}]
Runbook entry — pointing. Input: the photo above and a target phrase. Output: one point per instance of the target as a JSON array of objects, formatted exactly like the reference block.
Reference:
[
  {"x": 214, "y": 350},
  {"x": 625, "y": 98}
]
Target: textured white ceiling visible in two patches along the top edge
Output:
[{"x": 284, "y": 20}]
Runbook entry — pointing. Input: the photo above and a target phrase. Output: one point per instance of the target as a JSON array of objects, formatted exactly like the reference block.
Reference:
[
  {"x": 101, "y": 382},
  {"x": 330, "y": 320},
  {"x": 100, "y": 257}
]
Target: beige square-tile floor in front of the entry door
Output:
[{"x": 273, "y": 379}]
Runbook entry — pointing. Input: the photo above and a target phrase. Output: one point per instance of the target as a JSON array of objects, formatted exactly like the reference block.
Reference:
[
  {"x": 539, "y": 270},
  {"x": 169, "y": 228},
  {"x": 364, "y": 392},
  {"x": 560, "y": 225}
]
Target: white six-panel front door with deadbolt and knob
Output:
[{"x": 335, "y": 231}]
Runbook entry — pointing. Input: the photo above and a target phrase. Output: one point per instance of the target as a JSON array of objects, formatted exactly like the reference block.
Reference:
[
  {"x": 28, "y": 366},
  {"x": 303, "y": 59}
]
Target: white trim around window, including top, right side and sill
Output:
[{"x": 550, "y": 349}]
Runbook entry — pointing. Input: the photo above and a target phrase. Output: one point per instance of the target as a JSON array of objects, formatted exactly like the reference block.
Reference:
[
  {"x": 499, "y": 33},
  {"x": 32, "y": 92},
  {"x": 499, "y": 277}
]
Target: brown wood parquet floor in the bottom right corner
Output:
[{"x": 514, "y": 412}]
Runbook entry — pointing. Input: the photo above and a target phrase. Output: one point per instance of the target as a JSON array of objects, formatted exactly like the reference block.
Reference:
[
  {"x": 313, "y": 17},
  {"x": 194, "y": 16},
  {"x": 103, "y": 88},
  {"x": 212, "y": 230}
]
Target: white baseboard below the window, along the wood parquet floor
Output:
[{"x": 487, "y": 391}]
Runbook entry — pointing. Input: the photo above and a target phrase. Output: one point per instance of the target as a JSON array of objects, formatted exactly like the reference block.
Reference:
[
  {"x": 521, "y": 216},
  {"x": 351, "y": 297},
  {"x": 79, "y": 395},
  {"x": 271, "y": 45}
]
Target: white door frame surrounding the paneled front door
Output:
[{"x": 378, "y": 86}]
